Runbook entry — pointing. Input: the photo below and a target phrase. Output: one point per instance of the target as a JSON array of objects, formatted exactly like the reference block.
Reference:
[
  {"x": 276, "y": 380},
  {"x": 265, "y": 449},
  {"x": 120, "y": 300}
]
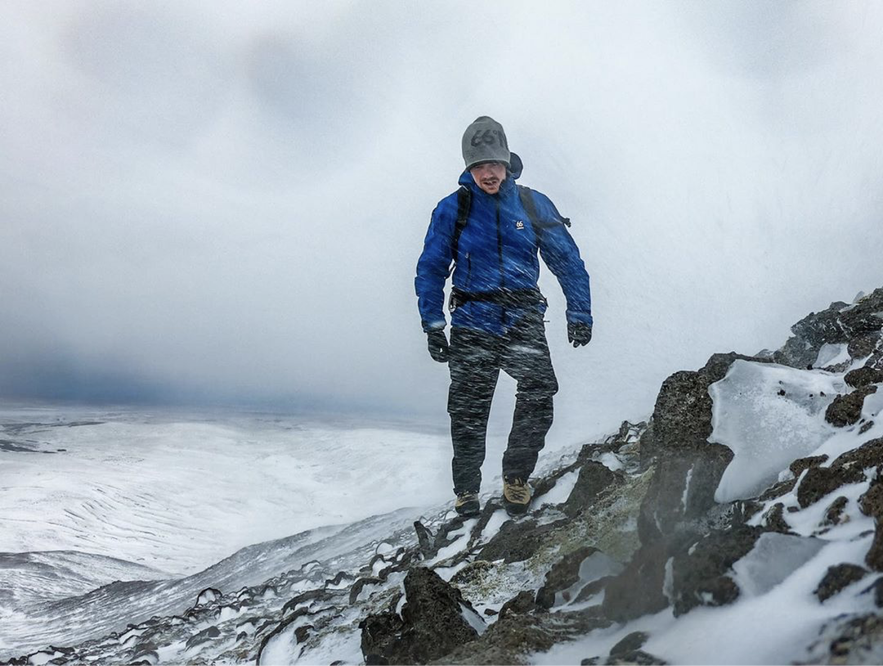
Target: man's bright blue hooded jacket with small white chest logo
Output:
[{"x": 497, "y": 249}]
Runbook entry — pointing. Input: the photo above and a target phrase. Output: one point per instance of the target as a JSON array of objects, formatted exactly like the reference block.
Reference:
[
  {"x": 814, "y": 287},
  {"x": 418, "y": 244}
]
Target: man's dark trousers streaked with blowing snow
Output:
[{"x": 475, "y": 362}]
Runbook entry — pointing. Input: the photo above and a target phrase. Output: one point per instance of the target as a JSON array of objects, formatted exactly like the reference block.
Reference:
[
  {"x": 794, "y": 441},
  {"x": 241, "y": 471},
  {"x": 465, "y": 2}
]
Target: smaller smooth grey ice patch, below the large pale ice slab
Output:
[{"x": 773, "y": 558}]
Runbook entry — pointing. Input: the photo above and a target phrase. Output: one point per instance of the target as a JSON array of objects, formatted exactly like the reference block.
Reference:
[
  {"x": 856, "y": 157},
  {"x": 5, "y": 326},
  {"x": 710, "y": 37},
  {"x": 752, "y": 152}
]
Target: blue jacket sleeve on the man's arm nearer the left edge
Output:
[{"x": 433, "y": 267}]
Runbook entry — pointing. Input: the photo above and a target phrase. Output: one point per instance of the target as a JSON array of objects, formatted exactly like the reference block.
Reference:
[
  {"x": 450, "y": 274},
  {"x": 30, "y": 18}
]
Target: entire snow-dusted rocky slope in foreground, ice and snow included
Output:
[{"x": 740, "y": 525}]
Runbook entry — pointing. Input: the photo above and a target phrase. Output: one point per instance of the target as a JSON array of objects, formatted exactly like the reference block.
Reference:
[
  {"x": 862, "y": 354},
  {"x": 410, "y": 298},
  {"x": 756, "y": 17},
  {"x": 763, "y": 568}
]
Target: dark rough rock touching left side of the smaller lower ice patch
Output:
[{"x": 701, "y": 574}]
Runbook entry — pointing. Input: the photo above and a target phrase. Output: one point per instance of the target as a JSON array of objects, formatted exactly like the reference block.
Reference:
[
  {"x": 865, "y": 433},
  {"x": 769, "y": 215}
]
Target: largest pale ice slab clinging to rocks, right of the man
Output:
[{"x": 768, "y": 415}]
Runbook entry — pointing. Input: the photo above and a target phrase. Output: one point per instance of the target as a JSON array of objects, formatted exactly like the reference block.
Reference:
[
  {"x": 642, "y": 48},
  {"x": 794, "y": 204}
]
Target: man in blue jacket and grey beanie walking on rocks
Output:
[{"x": 492, "y": 230}]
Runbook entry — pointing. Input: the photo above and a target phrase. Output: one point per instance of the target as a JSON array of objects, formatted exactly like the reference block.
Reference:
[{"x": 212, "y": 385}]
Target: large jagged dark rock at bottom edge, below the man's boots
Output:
[{"x": 431, "y": 625}]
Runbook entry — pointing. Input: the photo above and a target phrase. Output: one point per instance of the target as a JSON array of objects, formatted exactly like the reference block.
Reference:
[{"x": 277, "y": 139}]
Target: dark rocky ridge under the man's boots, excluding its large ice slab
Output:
[{"x": 624, "y": 529}]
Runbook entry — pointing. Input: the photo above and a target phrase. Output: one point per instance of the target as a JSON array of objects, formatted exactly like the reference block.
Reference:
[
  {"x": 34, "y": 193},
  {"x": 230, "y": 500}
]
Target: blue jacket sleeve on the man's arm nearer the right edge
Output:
[{"x": 561, "y": 255}]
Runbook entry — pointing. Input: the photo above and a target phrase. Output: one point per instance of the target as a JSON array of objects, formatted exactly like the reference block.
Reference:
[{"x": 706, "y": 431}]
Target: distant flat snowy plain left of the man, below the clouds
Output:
[{"x": 178, "y": 492}]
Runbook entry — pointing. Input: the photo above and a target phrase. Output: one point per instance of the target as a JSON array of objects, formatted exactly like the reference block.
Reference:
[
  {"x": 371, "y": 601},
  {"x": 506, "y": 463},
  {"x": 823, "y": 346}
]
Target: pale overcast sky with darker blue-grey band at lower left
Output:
[{"x": 210, "y": 201}]
